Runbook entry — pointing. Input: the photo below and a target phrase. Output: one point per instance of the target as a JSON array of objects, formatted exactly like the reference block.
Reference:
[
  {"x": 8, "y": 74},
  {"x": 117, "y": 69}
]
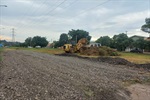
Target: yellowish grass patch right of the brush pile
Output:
[{"x": 137, "y": 58}]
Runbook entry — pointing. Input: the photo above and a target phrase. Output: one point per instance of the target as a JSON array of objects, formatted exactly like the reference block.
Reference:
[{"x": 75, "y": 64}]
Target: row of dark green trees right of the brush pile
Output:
[{"x": 122, "y": 41}]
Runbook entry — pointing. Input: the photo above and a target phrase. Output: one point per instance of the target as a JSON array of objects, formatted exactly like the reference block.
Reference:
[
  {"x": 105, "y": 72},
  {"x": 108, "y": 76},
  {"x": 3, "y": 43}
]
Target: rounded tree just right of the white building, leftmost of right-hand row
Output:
[{"x": 104, "y": 40}]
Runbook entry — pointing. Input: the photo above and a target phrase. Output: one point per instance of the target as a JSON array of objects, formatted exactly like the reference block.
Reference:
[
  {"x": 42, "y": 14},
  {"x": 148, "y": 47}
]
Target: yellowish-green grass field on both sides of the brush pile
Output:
[{"x": 132, "y": 57}]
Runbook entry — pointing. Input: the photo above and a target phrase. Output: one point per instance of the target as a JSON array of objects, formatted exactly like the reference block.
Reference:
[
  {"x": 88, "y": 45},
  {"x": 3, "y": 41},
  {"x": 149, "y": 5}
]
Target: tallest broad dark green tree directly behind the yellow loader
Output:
[{"x": 76, "y": 35}]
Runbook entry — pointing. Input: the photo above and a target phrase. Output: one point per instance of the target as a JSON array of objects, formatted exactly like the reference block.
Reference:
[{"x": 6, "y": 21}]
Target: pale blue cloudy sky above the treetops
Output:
[{"x": 51, "y": 18}]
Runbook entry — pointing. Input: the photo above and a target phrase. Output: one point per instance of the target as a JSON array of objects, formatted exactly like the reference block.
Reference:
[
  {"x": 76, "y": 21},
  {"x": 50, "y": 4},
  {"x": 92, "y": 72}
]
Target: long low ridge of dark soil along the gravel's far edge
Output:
[{"x": 110, "y": 60}]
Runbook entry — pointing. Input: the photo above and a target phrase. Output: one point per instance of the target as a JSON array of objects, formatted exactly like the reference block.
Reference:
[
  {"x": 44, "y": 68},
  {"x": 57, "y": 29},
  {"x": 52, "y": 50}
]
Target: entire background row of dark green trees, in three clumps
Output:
[{"x": 119, "y": 42}]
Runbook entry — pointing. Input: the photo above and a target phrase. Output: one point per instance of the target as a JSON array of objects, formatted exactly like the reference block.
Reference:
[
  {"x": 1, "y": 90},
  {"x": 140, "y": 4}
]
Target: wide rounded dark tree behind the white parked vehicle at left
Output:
[{"x": 39, "y": 41}]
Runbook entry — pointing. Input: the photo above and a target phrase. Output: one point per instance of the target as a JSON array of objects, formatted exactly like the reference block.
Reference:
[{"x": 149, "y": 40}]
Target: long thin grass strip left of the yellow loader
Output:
[{"x": 42, "y": 50}]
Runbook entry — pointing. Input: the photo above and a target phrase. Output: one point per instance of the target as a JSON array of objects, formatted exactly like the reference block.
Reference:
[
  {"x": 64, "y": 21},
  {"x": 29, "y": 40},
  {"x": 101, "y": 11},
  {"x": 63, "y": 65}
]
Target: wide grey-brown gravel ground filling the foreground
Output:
[{"x": 26, "y": 75}]
